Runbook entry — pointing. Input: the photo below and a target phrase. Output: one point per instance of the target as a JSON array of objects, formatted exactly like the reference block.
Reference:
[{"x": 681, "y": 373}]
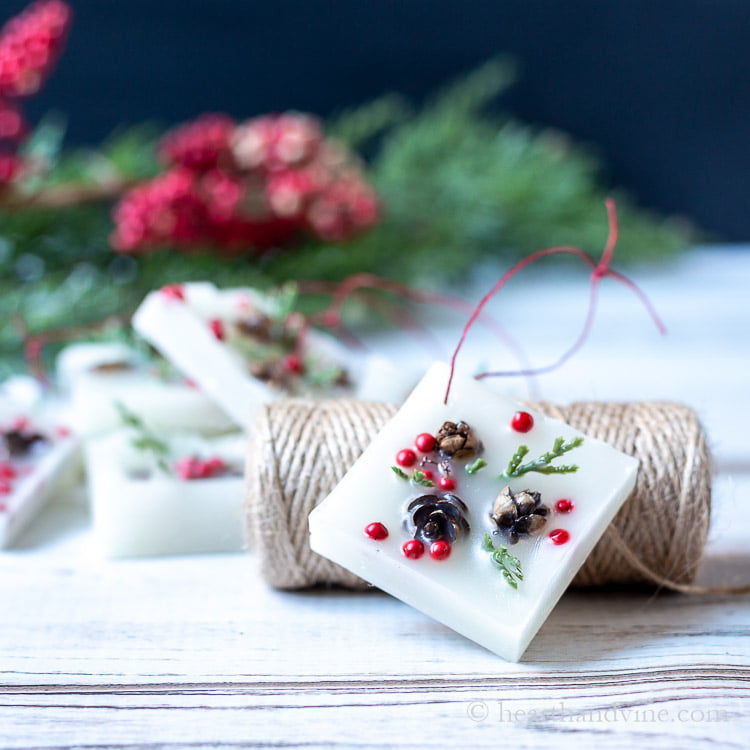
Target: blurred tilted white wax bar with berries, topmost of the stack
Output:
[{"x": 219, "y": 339}]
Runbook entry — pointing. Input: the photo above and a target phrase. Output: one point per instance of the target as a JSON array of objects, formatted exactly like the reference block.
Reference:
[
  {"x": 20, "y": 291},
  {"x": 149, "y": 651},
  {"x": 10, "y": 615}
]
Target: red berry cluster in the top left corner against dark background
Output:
[{"x": 30, "y": 44}]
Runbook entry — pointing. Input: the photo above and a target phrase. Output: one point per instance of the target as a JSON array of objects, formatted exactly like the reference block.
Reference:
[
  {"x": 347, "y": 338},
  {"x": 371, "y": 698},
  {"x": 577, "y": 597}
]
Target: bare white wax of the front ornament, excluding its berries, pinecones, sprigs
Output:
[{"x": 467, "y": 591}]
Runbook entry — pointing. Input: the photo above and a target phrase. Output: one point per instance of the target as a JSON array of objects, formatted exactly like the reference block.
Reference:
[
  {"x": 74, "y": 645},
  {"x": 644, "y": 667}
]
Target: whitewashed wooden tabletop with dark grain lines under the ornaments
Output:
[{"x": 196, "y": 652}]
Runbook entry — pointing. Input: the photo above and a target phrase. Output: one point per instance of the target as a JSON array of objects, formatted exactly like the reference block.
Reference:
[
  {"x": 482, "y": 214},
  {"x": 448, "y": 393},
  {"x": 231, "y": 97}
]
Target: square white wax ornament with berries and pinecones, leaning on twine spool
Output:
[{"x": 478, "y": 513}]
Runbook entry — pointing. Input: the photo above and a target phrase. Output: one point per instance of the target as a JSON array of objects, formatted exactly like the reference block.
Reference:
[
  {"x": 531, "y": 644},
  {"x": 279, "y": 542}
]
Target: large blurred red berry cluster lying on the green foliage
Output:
[{"x": 254, "y": 185}]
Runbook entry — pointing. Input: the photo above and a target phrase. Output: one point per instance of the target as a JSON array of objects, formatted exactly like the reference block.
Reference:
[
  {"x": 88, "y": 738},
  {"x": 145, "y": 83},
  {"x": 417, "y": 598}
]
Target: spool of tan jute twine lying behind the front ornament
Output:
[{"x": 302, "y": 449}]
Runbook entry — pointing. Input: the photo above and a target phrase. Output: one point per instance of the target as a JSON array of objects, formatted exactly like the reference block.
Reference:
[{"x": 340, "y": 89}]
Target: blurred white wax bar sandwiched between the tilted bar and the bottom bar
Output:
[{"x": 96, "y": 376}]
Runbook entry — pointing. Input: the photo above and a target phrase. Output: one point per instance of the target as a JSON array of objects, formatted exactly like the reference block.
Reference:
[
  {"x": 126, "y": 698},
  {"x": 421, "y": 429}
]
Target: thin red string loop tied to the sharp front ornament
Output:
[{"x": 599, "y": 270}]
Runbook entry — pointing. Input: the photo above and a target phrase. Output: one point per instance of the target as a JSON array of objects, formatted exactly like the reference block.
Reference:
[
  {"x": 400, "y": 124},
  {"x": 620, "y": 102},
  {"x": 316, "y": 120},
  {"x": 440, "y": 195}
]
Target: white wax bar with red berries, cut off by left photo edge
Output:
[{"x": 38, "y": 454}]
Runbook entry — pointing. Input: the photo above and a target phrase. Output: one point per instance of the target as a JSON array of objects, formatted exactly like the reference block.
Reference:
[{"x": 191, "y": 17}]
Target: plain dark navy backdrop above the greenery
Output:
[{"x": 660, "y": 87}]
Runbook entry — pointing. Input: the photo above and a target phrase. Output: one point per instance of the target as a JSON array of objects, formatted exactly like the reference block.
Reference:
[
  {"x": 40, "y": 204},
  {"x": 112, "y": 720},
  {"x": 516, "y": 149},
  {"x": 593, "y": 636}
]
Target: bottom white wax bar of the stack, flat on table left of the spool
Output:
[{"x": 139, "y": 510}]
